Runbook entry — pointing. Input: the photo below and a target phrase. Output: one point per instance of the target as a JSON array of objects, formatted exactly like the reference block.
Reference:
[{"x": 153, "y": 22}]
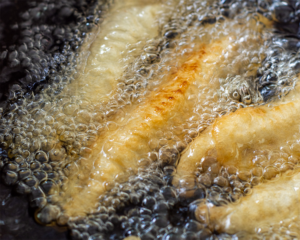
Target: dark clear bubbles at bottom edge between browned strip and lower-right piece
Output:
[{"x": 144, "y": 206}]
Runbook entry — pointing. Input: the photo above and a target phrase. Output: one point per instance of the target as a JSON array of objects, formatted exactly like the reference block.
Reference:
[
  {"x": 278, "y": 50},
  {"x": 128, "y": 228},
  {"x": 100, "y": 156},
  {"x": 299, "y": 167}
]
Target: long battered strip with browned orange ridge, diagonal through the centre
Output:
[{"x": 123, "y": 148}]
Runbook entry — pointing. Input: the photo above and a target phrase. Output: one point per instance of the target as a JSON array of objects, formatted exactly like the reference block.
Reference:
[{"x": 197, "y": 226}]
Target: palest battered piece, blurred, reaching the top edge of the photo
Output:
[{"x": 120, "y": 38}]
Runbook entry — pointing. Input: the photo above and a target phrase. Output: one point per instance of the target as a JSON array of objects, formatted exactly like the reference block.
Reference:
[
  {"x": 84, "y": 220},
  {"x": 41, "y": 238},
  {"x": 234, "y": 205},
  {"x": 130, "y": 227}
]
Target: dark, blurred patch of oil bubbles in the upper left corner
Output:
[{"x": 41, "y": 43}]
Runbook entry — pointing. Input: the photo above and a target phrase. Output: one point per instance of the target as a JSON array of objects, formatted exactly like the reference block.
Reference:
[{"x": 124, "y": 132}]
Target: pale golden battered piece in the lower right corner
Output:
[{"x": 269, "y": 204}]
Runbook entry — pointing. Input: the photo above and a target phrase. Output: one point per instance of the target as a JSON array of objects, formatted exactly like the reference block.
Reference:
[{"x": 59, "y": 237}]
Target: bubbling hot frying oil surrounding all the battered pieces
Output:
[{"x": 50, "y": 136}]
